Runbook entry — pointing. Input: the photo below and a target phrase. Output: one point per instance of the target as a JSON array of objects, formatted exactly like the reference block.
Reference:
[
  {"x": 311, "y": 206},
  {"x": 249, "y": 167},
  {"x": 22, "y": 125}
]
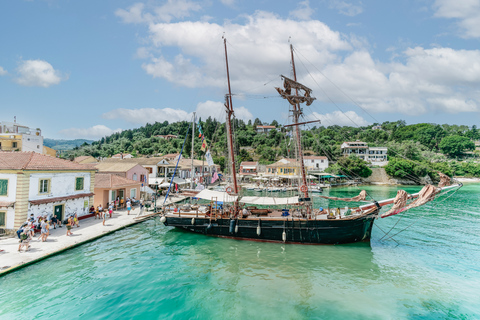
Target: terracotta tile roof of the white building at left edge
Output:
[{"x": 37, "y": 161}]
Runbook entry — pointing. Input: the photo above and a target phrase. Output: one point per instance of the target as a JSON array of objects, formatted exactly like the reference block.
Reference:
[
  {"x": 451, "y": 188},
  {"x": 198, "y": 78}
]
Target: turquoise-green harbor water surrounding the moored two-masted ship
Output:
[{"x": 150, "y": 271}]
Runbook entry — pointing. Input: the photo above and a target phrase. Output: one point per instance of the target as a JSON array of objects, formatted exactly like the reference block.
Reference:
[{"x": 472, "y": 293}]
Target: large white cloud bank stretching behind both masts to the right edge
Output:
[{"x": 416, "y": 81}]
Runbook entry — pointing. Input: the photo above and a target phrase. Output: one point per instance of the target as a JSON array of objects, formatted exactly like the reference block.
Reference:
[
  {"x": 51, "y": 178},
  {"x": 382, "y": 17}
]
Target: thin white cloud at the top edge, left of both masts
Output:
[{"x": 172, "y": 9}]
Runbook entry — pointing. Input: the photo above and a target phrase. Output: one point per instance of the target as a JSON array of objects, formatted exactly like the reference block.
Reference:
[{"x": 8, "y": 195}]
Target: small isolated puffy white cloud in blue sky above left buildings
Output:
[{"x": 38, "y": 73}]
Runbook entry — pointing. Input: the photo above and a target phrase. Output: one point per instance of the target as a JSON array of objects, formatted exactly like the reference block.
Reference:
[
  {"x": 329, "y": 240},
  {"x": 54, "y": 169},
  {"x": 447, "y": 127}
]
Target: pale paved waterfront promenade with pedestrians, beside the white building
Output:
[{"x": 90, "y": 229}]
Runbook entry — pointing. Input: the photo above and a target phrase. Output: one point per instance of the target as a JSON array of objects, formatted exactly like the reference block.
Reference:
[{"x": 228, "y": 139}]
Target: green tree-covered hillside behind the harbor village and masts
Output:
[{"x": 418, "y": 149}]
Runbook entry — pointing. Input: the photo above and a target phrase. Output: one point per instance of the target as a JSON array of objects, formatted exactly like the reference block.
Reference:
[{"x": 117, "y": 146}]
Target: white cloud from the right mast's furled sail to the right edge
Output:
[{"x": 438, "y": 79}]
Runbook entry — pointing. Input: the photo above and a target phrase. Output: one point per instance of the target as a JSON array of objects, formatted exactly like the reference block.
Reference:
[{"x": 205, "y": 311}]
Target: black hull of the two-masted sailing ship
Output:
[{"x": 302, "y": 231}]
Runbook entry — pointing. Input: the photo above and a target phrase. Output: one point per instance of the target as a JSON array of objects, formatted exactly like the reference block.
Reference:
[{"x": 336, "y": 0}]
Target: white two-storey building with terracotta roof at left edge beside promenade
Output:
[{"x": 31, "y": 183}]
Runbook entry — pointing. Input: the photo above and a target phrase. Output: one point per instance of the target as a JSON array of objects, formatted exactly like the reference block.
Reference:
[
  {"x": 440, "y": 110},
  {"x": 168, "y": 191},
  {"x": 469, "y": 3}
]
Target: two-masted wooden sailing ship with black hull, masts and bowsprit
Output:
[{"x": 290, "y": 219}]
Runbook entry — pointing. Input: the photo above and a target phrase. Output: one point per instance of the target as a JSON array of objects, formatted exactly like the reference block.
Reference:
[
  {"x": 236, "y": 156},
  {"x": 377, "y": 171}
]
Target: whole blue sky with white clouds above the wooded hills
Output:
[{"x": 86, "y": 69}]
